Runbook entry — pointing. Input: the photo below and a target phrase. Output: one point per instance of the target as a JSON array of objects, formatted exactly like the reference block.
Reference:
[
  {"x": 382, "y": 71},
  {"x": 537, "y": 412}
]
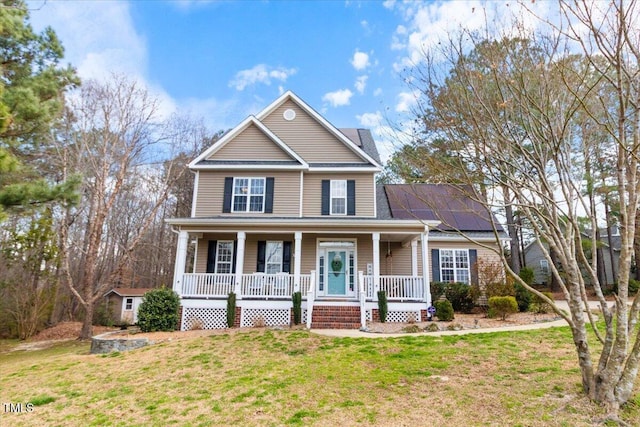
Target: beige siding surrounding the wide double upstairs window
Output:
[{"x": 286, "y": 192}]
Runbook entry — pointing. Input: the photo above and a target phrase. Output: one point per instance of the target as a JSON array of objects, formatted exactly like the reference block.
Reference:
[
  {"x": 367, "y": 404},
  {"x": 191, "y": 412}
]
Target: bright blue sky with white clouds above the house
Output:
[{"x": 223, "y": 60}]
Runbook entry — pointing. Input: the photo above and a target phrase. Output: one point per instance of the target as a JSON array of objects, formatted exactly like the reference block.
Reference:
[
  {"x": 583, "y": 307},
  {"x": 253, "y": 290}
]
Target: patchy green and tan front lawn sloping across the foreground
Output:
[{"x": 262, "y": 377}]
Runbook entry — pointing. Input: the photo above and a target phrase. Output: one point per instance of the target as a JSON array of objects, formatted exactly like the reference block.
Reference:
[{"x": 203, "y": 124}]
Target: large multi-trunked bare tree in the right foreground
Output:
[{"x": 531, "y": 110}]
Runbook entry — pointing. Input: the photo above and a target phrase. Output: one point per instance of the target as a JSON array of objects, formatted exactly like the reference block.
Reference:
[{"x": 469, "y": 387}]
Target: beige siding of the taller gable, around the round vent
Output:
[{"x": 307, "y": 137}]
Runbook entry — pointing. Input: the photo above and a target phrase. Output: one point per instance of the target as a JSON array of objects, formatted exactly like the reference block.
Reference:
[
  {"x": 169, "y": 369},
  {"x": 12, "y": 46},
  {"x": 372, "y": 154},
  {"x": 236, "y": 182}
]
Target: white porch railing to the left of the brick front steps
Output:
[{"x": 257, "y": 285}]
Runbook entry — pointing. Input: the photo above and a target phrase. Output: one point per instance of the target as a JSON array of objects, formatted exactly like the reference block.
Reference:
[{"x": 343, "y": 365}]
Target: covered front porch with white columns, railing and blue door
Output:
[{"x": 331, "y": 266}]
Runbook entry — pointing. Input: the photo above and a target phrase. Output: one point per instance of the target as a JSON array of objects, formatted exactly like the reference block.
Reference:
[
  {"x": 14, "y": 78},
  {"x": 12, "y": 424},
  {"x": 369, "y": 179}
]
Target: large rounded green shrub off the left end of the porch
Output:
[{"x": 159, "y": 310}]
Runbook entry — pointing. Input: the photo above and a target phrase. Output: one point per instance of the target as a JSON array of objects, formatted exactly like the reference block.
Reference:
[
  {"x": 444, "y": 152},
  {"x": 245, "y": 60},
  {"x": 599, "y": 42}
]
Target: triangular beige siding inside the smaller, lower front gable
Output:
[{"x": 250, "y": 144}]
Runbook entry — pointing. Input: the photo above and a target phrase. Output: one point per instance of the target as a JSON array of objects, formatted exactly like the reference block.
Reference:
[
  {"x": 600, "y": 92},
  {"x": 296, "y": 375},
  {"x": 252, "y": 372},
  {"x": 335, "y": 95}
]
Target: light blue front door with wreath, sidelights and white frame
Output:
[{"x": 336, "y": 269}]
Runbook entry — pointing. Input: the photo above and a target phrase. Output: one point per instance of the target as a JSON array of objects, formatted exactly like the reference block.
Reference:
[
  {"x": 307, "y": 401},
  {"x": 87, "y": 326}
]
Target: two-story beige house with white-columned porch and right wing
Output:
[{"x": 286, "y": 202}]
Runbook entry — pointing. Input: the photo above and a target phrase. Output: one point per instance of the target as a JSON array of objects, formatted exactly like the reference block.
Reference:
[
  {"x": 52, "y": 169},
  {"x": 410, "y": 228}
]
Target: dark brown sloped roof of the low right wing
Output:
[{"x": 447, "y": 203}]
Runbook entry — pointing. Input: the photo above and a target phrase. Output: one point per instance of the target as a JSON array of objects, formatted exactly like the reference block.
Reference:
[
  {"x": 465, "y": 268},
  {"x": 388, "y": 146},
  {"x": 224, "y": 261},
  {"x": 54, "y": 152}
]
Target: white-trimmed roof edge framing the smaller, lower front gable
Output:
[{"x": 202, "y": 161}]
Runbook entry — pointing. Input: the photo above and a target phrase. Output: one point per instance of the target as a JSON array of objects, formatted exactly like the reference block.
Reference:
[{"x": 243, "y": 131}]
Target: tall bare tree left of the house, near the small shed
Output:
[{"x": 113, "y": 141}]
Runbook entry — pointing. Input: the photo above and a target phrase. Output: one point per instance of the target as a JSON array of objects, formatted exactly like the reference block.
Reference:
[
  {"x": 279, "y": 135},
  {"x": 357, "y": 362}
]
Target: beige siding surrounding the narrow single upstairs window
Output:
[{"x": 365, "y": 202}]
